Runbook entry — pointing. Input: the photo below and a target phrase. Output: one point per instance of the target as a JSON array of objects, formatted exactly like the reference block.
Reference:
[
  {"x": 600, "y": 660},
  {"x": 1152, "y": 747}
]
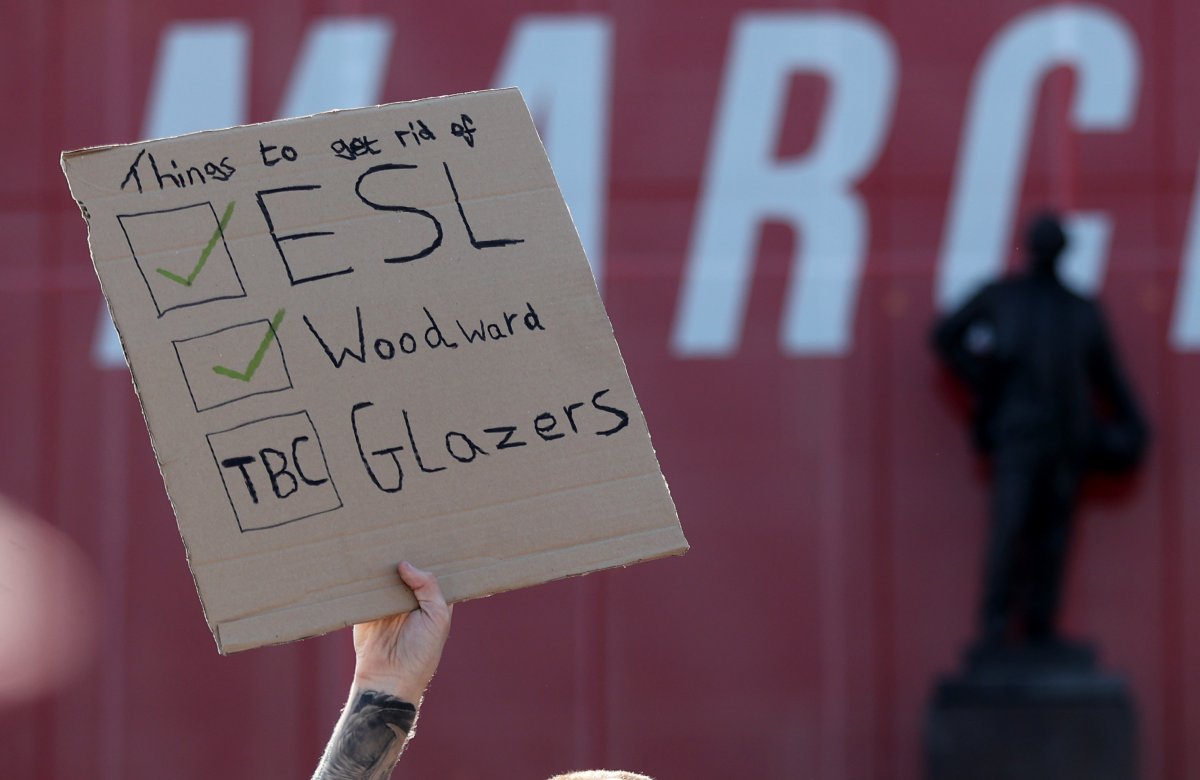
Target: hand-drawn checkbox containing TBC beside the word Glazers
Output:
[{"x": 274, "y": 472}]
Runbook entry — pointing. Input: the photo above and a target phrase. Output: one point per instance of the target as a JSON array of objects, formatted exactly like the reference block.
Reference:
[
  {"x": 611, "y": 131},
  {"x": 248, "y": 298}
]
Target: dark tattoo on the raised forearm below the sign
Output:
[{"x": 368, "y": 739}]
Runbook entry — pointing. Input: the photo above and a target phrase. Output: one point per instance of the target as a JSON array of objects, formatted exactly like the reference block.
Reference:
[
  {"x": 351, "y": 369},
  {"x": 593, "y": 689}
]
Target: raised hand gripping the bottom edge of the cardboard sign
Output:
[{"x": 399, "y": 655}]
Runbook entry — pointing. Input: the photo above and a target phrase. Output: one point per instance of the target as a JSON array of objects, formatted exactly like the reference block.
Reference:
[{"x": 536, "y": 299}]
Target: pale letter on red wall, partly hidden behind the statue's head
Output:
[{"x": 1103, "y": 52}]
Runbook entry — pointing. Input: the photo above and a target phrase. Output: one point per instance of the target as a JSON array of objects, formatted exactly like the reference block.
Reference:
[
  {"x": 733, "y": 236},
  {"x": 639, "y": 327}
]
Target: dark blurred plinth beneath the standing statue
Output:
[{"x": 1031, "y": 712}]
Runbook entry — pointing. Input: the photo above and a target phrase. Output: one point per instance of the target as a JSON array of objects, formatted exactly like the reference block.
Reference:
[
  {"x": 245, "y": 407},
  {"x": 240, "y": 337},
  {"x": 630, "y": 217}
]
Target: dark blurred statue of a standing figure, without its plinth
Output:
[{"x": 1052, "y": 404}]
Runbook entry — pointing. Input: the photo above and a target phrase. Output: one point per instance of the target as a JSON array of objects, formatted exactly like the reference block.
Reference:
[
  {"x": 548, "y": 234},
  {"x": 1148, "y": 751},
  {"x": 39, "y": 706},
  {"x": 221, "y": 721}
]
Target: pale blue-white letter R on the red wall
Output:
[{"x": 746, "y": 184}]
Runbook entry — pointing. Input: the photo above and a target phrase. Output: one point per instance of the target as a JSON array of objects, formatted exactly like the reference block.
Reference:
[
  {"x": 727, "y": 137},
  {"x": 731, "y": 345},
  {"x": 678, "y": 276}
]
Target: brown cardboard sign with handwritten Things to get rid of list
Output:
[{"x": 364, "y": 337}]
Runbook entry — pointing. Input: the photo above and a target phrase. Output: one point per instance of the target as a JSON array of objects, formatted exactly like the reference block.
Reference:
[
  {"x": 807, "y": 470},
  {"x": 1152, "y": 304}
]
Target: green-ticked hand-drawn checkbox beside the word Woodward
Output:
[{"x": 235, "y": 363}]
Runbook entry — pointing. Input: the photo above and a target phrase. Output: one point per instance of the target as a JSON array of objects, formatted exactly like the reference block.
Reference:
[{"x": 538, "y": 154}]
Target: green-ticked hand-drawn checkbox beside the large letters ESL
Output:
[{"x": 183, "y": 256}]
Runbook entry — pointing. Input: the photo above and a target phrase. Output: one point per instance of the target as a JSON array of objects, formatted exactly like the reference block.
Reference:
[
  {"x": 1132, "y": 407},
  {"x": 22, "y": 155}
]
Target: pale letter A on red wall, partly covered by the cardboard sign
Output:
[{"x": 563, "y": 65}]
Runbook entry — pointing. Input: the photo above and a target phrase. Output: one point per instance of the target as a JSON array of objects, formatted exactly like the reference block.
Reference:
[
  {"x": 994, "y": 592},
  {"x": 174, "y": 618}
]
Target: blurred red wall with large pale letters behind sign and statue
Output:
[{"x": 777, "y": 200}]
